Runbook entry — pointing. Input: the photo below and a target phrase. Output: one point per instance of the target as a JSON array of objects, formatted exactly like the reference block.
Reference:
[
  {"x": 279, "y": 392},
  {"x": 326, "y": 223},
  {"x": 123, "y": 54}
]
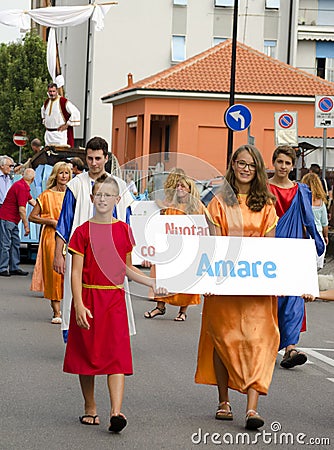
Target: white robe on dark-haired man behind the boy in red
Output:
[{"x": 81, "y": 187}]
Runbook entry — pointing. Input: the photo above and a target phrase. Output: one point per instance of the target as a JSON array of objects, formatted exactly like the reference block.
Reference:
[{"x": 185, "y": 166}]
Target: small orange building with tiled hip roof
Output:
[{"x": 181, "y": 110}]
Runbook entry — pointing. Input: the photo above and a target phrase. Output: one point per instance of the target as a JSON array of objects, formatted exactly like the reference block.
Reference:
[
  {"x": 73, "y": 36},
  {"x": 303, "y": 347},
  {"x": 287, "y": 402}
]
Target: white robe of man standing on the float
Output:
[{"x": 52, "y": 117}]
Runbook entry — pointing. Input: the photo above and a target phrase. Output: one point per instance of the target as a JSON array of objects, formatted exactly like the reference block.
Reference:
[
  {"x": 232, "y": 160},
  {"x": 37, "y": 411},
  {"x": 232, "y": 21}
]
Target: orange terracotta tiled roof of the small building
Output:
[{"x": 256, "y": 73}]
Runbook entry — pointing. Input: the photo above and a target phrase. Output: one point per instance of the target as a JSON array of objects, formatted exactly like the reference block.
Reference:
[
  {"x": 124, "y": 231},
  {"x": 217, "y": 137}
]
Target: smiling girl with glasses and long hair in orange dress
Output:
[{"x": 239, "y": 336}]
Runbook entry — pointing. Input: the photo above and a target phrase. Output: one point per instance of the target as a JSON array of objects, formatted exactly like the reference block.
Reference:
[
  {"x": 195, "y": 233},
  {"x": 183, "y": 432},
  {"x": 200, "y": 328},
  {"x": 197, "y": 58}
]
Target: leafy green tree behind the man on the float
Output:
[{"x": 24, "y": 78}]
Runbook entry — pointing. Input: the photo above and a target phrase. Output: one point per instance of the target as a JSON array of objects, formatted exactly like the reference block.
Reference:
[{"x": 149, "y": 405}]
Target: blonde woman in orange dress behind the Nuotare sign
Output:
[{"x": 186, "y": 200}]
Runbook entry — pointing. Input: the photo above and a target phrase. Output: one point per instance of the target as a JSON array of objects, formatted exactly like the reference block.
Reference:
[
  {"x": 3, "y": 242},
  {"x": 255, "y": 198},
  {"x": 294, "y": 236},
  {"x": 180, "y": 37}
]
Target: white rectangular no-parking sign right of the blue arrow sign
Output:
[{"x": 286, "y": 128}]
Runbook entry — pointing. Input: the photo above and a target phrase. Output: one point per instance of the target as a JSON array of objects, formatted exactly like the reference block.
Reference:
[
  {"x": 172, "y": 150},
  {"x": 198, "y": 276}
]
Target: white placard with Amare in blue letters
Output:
[{"x": 238, "y": 266}]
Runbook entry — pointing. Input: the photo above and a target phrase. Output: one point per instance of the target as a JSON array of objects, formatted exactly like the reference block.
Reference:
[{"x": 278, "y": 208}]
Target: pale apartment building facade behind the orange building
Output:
[{"x": 147, "y": 36}]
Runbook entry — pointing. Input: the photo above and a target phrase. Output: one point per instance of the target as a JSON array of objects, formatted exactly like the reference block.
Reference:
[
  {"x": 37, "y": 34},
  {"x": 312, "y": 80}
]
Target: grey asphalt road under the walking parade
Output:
[{"x": 40, "y": 404}]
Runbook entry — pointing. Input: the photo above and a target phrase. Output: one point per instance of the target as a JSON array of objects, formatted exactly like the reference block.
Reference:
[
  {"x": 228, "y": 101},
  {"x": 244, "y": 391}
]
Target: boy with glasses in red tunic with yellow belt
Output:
[{"x": 98, "y": 339}]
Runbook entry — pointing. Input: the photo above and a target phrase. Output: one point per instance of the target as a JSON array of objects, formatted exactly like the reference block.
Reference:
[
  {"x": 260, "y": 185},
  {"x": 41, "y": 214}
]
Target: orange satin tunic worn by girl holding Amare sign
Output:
[{"x": 243, "y": 330}]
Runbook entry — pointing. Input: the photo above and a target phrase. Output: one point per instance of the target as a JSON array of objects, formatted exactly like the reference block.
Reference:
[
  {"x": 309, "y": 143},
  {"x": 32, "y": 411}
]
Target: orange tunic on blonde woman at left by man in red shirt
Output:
[{"x": 44, "y": 277}]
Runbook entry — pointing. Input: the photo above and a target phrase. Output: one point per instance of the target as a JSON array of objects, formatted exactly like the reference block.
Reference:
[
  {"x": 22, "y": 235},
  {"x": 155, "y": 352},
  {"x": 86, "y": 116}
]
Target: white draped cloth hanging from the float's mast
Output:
[{"x": 56, "y": 17}]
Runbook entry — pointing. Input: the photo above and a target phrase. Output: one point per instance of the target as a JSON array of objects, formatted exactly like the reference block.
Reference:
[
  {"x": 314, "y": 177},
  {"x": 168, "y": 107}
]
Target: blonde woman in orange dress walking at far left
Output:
[{"x": 46, "y": 212}]
